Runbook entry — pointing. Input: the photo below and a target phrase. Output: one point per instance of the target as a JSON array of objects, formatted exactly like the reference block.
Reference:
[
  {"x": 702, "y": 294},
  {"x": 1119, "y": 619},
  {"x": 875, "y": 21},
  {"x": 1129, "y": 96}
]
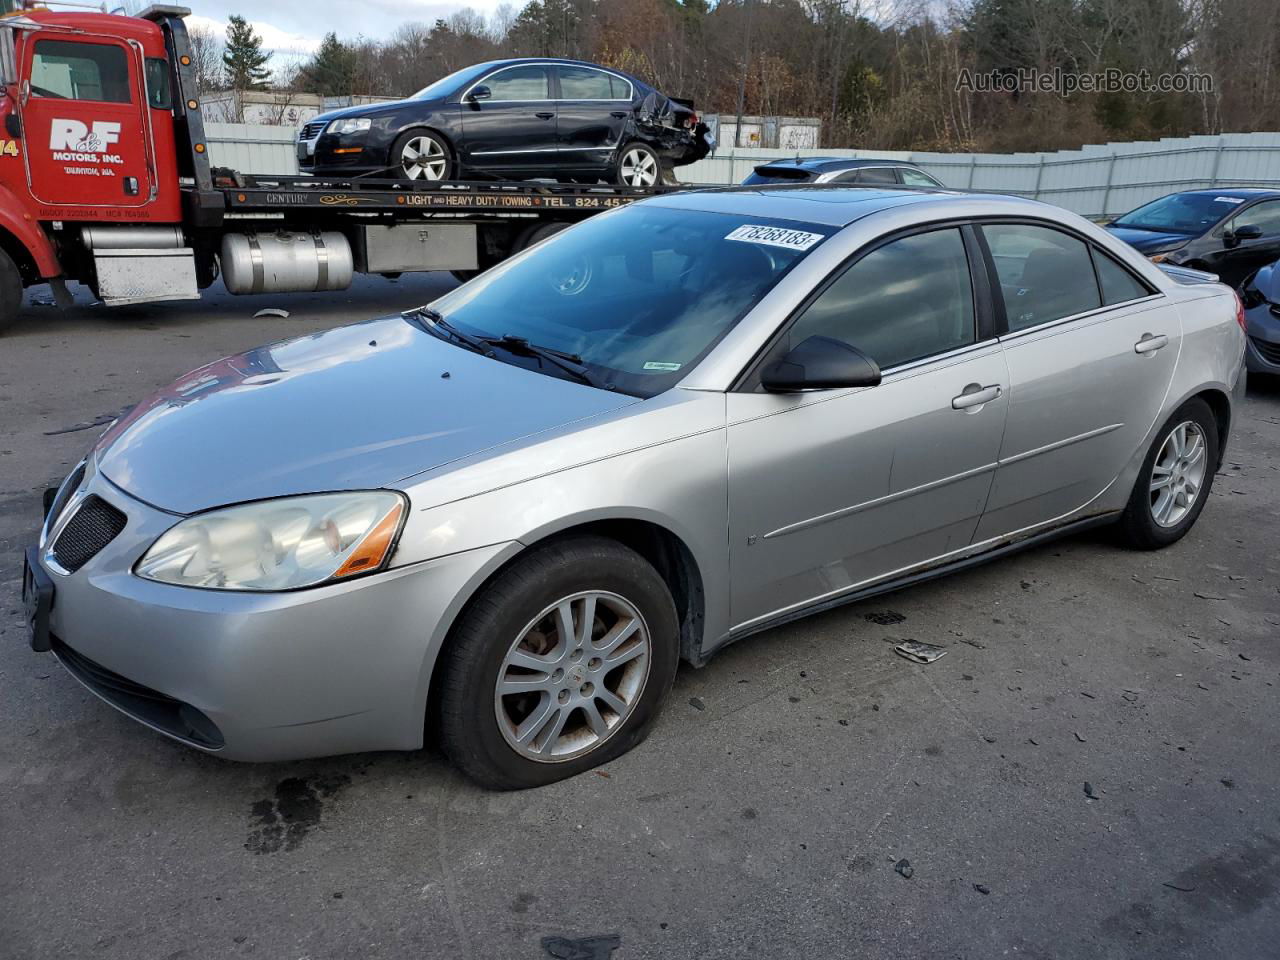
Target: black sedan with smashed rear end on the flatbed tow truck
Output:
[{"x": 514, "y": 120}]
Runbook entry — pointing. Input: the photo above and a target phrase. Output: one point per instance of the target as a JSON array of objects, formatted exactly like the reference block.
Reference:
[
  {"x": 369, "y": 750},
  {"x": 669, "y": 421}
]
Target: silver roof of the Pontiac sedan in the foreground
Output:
[{"x": 826, "y": 204}]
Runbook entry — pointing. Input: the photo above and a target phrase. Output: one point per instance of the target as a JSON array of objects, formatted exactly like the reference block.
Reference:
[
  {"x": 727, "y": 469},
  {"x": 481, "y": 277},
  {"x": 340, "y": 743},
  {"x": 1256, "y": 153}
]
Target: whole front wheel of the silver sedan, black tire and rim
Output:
[{"x": 518, "y": 618}]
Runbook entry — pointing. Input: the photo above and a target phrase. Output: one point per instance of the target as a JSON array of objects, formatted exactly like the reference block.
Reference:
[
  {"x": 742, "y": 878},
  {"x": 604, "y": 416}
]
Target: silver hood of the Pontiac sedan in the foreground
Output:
[{"x": 355, "y": 408}]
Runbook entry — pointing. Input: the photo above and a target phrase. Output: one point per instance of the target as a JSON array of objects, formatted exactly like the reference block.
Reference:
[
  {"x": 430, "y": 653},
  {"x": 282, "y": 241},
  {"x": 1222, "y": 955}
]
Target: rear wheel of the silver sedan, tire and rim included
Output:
[{"x": 1159, "y": 518}]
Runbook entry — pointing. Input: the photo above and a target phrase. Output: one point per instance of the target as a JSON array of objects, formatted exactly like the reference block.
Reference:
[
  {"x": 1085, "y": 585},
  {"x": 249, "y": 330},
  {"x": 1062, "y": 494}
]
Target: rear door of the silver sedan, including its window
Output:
[{"x": 1091, "y": 353}]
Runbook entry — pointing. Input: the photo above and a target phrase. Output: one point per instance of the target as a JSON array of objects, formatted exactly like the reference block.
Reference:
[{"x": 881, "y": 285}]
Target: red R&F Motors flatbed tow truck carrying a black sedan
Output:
[{"x": 106, "y": 180}]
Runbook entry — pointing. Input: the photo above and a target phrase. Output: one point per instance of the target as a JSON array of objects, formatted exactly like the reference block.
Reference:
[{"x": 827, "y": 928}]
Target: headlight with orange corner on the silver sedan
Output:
[{"x": 278, "y": 545}]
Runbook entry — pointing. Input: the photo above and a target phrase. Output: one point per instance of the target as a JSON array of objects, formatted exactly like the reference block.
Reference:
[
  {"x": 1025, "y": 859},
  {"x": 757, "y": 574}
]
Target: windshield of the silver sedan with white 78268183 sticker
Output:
[{"x": 639, "y": 295}]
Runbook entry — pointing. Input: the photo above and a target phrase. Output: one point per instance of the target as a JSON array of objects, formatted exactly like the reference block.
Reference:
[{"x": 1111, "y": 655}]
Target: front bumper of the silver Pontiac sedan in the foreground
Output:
[{"x": 252, "y": 676}]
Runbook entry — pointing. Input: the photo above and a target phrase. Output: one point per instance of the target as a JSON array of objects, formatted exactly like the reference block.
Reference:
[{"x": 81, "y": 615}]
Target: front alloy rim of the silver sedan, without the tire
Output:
[{"x": 574, "y": 676}]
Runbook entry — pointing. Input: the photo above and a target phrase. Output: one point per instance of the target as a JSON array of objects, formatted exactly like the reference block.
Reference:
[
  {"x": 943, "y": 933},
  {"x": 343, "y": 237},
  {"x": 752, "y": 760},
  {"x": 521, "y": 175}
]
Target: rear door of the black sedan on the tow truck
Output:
[{"x": 593, "y": 112}]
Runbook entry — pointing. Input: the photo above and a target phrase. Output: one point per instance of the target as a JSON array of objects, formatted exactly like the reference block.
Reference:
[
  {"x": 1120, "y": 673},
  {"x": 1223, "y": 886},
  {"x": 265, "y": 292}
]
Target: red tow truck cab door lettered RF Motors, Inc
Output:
[{"x": 85, "y": 122}]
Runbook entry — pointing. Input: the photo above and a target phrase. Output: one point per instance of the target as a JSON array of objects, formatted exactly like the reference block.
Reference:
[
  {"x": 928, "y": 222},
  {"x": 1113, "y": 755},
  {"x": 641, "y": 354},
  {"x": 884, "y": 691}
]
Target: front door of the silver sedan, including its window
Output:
[{"x": 834, "y": 490}]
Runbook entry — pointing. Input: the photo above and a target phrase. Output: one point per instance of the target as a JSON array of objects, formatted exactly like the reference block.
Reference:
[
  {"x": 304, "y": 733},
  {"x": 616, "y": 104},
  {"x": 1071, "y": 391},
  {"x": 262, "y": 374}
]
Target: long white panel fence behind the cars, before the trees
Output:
[{"x": 1096, "y": 181}]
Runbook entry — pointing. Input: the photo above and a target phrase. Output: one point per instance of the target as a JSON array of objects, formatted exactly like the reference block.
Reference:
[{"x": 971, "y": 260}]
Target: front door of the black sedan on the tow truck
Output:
[{"x": 509, "y": 121}]
